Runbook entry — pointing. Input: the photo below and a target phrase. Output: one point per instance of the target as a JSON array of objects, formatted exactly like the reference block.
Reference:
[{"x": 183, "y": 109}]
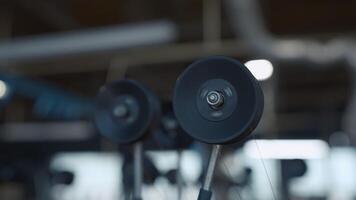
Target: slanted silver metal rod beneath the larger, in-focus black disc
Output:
[{"x": 211, "y": 167}]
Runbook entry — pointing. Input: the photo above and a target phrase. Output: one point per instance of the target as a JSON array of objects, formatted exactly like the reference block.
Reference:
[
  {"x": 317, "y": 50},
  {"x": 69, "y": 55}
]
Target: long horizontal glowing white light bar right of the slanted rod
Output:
[{"x": 286, "y": 149}]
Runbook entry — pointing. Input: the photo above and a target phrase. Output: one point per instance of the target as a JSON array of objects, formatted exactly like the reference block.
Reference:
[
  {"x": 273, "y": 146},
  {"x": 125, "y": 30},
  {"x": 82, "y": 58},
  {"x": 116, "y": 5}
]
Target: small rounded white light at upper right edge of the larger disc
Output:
[{"x": 261, "y": 69}]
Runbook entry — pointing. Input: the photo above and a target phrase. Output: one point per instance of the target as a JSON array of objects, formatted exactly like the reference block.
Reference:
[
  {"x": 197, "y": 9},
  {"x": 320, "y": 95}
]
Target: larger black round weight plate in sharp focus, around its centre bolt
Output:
[{"x": 240, "y": 111}]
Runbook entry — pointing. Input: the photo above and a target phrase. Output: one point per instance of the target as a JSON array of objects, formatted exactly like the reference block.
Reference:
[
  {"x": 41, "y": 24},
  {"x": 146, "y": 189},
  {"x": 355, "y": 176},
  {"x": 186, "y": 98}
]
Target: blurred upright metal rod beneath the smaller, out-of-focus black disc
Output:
[{"x": 138, "y": 171}]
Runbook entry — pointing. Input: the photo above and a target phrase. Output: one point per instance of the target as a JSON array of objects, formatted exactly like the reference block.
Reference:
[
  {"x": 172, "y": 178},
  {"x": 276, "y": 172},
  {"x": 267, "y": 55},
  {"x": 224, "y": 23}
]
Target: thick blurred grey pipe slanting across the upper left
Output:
[{"x": 89, "y": 41}]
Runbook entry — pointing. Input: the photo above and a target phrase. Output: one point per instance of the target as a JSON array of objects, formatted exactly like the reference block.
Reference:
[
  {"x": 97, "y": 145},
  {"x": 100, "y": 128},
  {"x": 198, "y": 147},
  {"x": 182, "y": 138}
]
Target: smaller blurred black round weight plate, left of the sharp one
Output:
[{"x": 125, "y": 111}]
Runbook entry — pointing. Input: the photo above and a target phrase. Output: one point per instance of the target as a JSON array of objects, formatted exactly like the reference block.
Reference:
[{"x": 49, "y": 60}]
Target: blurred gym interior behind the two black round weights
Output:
[{"x": 55, "y": 55}]
